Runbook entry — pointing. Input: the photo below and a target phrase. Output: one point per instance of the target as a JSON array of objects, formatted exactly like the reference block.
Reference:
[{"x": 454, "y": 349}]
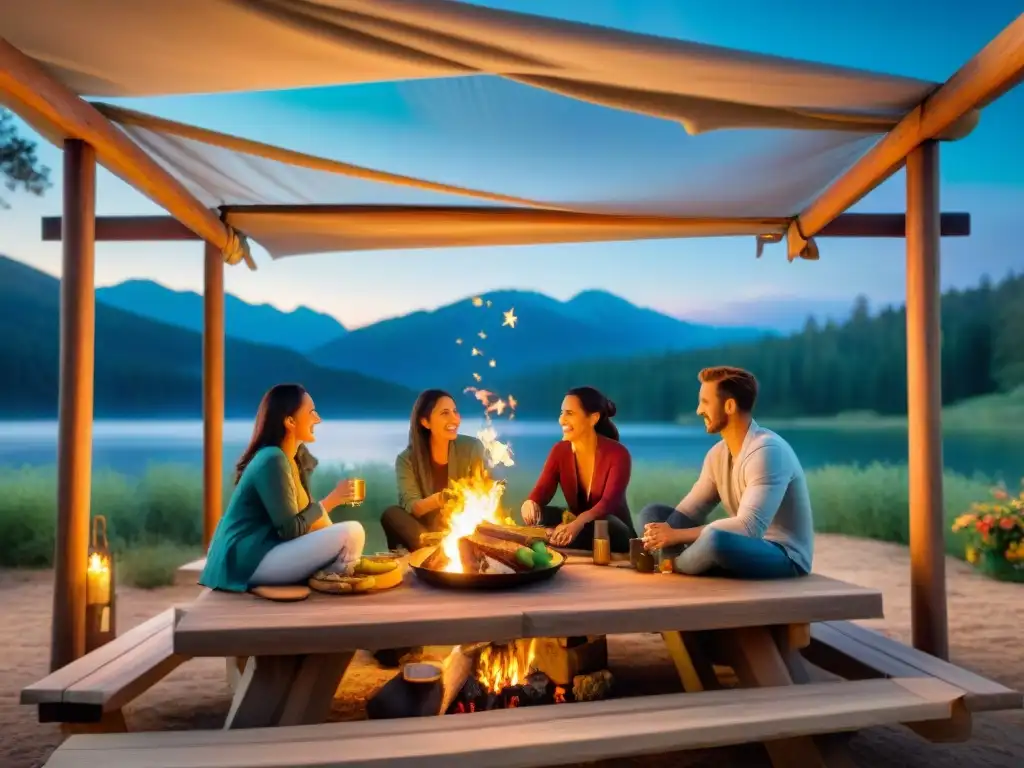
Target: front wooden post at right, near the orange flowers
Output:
[{"x": 928, "y": 585}]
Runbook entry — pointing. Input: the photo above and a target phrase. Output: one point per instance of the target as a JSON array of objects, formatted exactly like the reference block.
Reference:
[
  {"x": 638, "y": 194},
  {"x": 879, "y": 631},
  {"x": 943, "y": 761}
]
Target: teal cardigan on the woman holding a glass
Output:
[{"x": 262, "y": 515}]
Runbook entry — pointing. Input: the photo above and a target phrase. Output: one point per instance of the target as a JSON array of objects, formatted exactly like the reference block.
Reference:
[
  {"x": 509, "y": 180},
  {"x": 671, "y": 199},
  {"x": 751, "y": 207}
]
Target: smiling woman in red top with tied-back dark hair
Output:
[{"x": 592, "y": 468}]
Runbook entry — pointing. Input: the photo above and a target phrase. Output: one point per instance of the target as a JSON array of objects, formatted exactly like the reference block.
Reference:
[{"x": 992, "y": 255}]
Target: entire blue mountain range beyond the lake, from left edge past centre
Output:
[{"x": 149, "y": 347}]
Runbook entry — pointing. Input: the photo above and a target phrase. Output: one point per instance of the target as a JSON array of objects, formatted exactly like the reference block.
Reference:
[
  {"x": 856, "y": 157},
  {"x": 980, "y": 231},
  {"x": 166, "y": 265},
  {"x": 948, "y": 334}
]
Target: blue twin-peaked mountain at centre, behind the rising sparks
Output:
[{"x": 421, "y": 350}]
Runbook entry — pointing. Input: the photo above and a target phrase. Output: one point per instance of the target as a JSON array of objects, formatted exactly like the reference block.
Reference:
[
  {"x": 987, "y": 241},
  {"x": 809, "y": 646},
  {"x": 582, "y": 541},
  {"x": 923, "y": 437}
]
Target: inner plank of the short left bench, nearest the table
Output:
[{"x": 114, "y": 685}]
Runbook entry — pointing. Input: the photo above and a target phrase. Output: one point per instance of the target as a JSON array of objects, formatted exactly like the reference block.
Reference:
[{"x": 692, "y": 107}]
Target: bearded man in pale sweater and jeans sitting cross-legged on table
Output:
[{"x": 756, "y": 476}]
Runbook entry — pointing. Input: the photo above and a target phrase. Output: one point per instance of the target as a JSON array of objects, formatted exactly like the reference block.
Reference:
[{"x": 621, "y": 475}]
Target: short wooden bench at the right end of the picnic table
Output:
[{"x": 858, "y": 653}]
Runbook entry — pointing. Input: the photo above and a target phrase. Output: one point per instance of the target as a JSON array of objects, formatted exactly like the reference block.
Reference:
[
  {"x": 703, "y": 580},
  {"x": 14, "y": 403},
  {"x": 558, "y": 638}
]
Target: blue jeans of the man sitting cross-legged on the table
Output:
[{"x": 722, "y": 552}]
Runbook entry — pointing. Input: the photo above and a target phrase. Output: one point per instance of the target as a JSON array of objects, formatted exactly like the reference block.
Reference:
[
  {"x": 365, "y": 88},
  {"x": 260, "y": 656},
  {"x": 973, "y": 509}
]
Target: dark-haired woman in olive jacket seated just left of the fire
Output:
[{"x": 437, "y": 455}]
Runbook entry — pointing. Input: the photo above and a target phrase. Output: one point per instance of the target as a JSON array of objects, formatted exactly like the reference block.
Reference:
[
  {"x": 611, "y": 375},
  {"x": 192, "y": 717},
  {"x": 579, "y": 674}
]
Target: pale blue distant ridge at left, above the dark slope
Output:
[{"x": 303, "y": 329}]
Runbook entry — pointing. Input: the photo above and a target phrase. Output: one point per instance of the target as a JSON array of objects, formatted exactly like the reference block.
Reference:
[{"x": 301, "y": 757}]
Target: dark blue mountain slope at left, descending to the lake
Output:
[{"x": 148, "y": 368}]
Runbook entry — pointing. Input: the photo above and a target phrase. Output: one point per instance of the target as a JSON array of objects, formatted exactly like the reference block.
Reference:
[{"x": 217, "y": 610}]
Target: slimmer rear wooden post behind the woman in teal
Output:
[{"x": 214, "y": 391}]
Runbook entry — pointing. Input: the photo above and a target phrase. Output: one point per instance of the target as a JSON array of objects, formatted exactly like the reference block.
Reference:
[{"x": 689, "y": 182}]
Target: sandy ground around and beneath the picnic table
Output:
[{"x": 986, "y": 619}]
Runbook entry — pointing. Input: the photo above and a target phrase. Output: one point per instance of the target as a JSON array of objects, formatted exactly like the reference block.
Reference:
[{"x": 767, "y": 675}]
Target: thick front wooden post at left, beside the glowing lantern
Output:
[{"x": 75, "y": 431}]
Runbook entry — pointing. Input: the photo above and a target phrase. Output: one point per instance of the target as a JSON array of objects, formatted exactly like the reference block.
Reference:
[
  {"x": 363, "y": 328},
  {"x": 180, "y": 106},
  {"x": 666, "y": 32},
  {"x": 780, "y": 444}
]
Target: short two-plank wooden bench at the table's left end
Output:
[{"x": 89, "y": 694}]
